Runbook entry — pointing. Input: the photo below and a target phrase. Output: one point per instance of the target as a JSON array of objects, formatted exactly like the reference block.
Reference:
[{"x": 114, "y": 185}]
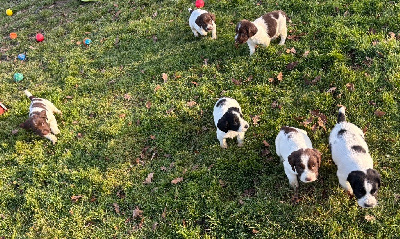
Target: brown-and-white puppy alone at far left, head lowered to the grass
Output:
[{"x": 41, "y": 119}]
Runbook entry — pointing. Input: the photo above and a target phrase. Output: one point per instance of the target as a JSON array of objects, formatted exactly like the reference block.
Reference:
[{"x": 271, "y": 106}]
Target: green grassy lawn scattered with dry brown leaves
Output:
[{"x": 138, "y": 101}]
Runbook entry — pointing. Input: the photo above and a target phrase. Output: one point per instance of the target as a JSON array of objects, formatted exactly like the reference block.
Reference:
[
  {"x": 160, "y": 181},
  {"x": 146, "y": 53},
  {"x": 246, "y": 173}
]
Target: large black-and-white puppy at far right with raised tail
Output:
[{"x": 355, "y": 166}]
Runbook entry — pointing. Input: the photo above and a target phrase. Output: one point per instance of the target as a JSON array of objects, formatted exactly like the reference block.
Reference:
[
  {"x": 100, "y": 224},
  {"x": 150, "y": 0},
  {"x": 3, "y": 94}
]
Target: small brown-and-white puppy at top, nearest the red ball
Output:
[{"x": 201, "y": 22}]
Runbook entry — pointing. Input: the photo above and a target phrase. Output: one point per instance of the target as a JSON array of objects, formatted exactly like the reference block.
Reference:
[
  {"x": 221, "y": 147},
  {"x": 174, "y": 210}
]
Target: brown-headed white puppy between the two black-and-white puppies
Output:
[{"x": 298, "y": 156}]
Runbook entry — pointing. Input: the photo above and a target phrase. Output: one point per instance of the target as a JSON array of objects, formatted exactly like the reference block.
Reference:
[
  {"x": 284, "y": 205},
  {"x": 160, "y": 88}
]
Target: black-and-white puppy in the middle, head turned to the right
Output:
[{"x": 229, "y": 121}]
